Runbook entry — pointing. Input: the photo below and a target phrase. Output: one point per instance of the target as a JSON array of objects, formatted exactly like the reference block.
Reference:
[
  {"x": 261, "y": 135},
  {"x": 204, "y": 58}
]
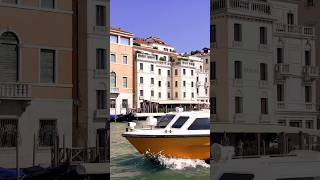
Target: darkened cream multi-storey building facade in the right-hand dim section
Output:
[{"x": 263, "y": 67}]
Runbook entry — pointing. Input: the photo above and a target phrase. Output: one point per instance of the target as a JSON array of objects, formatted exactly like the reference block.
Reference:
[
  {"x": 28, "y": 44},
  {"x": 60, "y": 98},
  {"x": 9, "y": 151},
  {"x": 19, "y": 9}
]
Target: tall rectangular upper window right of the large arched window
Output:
[{"x": 47, "y": 66}]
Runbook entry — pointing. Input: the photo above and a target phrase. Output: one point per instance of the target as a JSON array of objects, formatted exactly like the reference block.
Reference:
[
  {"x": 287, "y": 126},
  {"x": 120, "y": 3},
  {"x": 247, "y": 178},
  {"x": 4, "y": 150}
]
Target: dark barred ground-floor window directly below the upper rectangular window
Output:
[{"x": 47, "y": 132}]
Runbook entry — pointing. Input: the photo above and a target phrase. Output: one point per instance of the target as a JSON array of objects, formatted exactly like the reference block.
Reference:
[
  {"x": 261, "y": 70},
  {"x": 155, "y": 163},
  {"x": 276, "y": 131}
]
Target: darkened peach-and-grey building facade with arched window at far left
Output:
[{"x": 35, "y": 80}]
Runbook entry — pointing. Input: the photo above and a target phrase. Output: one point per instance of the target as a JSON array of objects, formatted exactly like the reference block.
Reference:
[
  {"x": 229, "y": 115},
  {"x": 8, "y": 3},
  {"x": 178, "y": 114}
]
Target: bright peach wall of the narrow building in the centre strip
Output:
[{"x": 121, "y": 69}]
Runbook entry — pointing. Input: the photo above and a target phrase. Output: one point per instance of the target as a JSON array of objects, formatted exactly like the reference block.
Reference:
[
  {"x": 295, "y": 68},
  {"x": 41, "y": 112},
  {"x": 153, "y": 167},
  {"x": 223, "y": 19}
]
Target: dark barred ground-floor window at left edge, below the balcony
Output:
[{"x": 8, "y": 132}]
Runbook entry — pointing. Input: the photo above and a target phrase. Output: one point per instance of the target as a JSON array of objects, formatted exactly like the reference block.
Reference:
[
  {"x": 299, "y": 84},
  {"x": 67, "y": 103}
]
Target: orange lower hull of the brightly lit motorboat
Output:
[{"x": 178, "y": 147}]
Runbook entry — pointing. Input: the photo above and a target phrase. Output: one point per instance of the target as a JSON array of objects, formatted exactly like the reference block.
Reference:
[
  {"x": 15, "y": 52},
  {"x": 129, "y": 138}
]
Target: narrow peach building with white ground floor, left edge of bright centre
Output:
[{"x": 121, "y": 75}]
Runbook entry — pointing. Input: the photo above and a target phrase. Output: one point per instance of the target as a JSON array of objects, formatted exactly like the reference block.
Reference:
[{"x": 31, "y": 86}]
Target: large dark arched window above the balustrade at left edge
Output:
[{"x": 9, "y": 54}]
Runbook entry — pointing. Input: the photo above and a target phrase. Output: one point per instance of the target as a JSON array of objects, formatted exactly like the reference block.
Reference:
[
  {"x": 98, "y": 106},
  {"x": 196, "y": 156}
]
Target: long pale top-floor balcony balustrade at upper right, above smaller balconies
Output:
[{"x": 294, "y": 29}]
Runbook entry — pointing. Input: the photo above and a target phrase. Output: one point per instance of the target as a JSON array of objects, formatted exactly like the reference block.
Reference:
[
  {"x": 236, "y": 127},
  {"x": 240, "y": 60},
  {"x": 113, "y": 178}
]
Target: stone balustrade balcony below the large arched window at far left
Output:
[{"x": 15, "y": 91}]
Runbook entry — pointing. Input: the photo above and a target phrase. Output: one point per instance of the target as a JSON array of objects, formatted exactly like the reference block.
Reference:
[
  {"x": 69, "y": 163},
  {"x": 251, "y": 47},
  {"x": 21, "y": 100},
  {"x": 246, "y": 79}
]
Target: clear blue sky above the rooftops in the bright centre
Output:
[{"x": 183, "y": 24}]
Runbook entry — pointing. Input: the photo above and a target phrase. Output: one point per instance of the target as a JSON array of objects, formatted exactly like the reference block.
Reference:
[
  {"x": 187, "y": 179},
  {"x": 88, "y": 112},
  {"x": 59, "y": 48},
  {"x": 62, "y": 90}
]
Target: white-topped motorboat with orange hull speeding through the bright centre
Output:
[{"x": 176, "y": 134}]
